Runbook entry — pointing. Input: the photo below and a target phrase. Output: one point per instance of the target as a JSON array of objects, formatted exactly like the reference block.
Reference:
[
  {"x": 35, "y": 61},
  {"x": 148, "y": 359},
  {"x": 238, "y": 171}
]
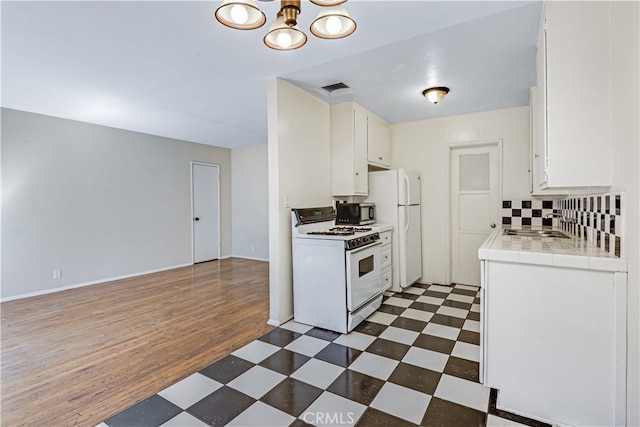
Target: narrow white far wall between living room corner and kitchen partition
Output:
[{"x": 250, "y": 202}]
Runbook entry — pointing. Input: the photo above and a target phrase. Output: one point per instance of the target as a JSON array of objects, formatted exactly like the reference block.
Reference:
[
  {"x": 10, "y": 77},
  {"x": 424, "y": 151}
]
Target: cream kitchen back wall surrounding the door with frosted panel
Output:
[{"x": 423, "y": 146}]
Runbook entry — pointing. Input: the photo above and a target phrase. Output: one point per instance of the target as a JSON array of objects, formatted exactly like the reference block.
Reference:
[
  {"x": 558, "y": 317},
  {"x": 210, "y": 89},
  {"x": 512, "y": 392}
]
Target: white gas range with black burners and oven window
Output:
[{"x": 336, "y": 270}]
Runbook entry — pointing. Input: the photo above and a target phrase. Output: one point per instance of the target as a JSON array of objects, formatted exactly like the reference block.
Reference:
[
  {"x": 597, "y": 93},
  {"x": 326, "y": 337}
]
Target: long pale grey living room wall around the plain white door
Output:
[{"x": 95, "y": 202}]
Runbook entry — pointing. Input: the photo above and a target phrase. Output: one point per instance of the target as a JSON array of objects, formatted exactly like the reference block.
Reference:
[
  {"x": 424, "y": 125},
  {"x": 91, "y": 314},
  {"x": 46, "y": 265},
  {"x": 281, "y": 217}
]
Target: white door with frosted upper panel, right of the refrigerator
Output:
[{"x": 475, "y": 200}]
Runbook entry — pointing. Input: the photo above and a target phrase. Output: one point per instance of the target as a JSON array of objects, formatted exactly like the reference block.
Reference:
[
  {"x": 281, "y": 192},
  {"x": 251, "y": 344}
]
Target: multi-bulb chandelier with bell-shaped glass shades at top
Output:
[{"x": 333, "y": 21}]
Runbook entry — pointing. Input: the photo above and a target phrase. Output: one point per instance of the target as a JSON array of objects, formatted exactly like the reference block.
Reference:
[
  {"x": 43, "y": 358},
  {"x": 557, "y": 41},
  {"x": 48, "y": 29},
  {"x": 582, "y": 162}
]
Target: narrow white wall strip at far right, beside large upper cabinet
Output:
[{"x": 625, "y": 18}]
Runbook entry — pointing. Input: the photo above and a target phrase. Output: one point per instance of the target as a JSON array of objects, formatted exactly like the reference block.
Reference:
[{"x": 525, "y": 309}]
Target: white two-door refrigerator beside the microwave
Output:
[{"x": 396, "y": 194}]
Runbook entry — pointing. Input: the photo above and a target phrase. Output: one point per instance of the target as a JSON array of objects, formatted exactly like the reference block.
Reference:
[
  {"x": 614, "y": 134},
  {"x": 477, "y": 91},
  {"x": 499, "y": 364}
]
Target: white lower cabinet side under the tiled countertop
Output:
[{"x": 554, "y": 342}]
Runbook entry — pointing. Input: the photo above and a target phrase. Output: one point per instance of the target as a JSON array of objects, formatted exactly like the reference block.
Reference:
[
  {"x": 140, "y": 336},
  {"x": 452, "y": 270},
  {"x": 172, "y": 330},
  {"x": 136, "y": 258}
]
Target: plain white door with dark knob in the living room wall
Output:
[{"x": 206, "y": 211}]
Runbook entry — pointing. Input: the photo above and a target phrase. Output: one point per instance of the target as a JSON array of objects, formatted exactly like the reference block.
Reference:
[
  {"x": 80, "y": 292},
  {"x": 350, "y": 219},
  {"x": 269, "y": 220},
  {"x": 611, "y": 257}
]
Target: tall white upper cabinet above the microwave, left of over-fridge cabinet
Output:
[{"x": 349, "y": 170}]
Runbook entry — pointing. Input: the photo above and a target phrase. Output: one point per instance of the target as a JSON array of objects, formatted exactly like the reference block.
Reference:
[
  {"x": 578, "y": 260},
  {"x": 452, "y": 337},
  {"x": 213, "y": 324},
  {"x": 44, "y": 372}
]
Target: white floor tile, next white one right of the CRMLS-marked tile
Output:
[{"x": 402, "y": 402}]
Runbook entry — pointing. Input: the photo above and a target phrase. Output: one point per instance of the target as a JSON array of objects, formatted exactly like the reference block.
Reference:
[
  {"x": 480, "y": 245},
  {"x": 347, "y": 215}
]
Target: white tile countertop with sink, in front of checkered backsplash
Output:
[{"x": 558, "y": 252}]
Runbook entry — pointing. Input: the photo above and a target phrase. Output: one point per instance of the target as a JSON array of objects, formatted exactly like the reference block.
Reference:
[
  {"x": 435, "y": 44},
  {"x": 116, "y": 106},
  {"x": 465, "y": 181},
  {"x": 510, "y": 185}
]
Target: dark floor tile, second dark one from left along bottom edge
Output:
[{"x": 221, "y": 406}]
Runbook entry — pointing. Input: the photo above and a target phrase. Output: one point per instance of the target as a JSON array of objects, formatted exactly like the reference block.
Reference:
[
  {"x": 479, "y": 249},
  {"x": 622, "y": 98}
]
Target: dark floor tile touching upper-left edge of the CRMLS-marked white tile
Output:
[{"x": 291, "y": 396}]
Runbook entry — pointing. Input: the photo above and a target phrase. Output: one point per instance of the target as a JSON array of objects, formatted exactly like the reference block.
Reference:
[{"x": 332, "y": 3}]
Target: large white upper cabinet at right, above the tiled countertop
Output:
[{"x": 571, "y": 129}]
